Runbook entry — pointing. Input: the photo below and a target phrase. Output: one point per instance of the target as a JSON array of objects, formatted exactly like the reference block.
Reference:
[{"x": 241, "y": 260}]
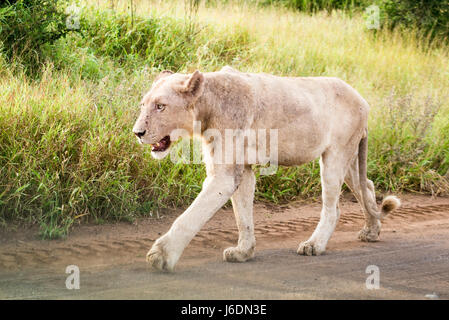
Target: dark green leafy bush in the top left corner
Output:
[{"x": 27, "y": 26}]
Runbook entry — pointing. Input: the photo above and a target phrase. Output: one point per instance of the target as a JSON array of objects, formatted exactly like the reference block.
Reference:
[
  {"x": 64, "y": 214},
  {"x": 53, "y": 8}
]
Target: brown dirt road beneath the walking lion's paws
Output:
[{"x": 412, "y": 257}]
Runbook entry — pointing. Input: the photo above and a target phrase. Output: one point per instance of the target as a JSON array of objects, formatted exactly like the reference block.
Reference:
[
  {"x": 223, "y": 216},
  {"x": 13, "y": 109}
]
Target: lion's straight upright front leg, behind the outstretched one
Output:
[{"x": 242, "y": 202}]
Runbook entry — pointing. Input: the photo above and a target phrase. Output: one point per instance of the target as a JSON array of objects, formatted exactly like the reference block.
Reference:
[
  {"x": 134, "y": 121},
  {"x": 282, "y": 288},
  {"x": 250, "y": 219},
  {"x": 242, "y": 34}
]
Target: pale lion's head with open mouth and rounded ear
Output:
[{"x": 167, "y": 107}]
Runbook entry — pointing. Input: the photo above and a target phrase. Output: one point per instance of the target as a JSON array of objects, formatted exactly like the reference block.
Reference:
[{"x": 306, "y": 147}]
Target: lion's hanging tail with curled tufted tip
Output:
[{"x": 389, "y": 203}]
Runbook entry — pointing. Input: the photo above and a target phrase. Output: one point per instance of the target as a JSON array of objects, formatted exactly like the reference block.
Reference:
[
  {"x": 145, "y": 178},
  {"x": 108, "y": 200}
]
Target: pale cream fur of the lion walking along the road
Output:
[{"x": 316, "y": 117}]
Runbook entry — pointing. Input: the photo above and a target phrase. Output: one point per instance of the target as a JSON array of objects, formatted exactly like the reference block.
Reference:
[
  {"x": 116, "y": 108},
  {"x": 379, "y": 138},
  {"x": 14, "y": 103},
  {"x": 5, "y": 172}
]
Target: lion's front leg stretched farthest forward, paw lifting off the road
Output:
[{"x": 167, "y": 250}]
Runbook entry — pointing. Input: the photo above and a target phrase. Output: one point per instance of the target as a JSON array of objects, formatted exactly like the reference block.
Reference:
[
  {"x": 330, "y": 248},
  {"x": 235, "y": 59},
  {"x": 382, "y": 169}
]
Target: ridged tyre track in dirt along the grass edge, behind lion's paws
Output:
[{"x": 133, "y": 246}]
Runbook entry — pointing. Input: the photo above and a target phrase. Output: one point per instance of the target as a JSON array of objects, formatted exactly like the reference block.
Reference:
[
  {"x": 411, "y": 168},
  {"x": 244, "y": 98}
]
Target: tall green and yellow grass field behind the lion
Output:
[{"x": 67, "y": 153}]
